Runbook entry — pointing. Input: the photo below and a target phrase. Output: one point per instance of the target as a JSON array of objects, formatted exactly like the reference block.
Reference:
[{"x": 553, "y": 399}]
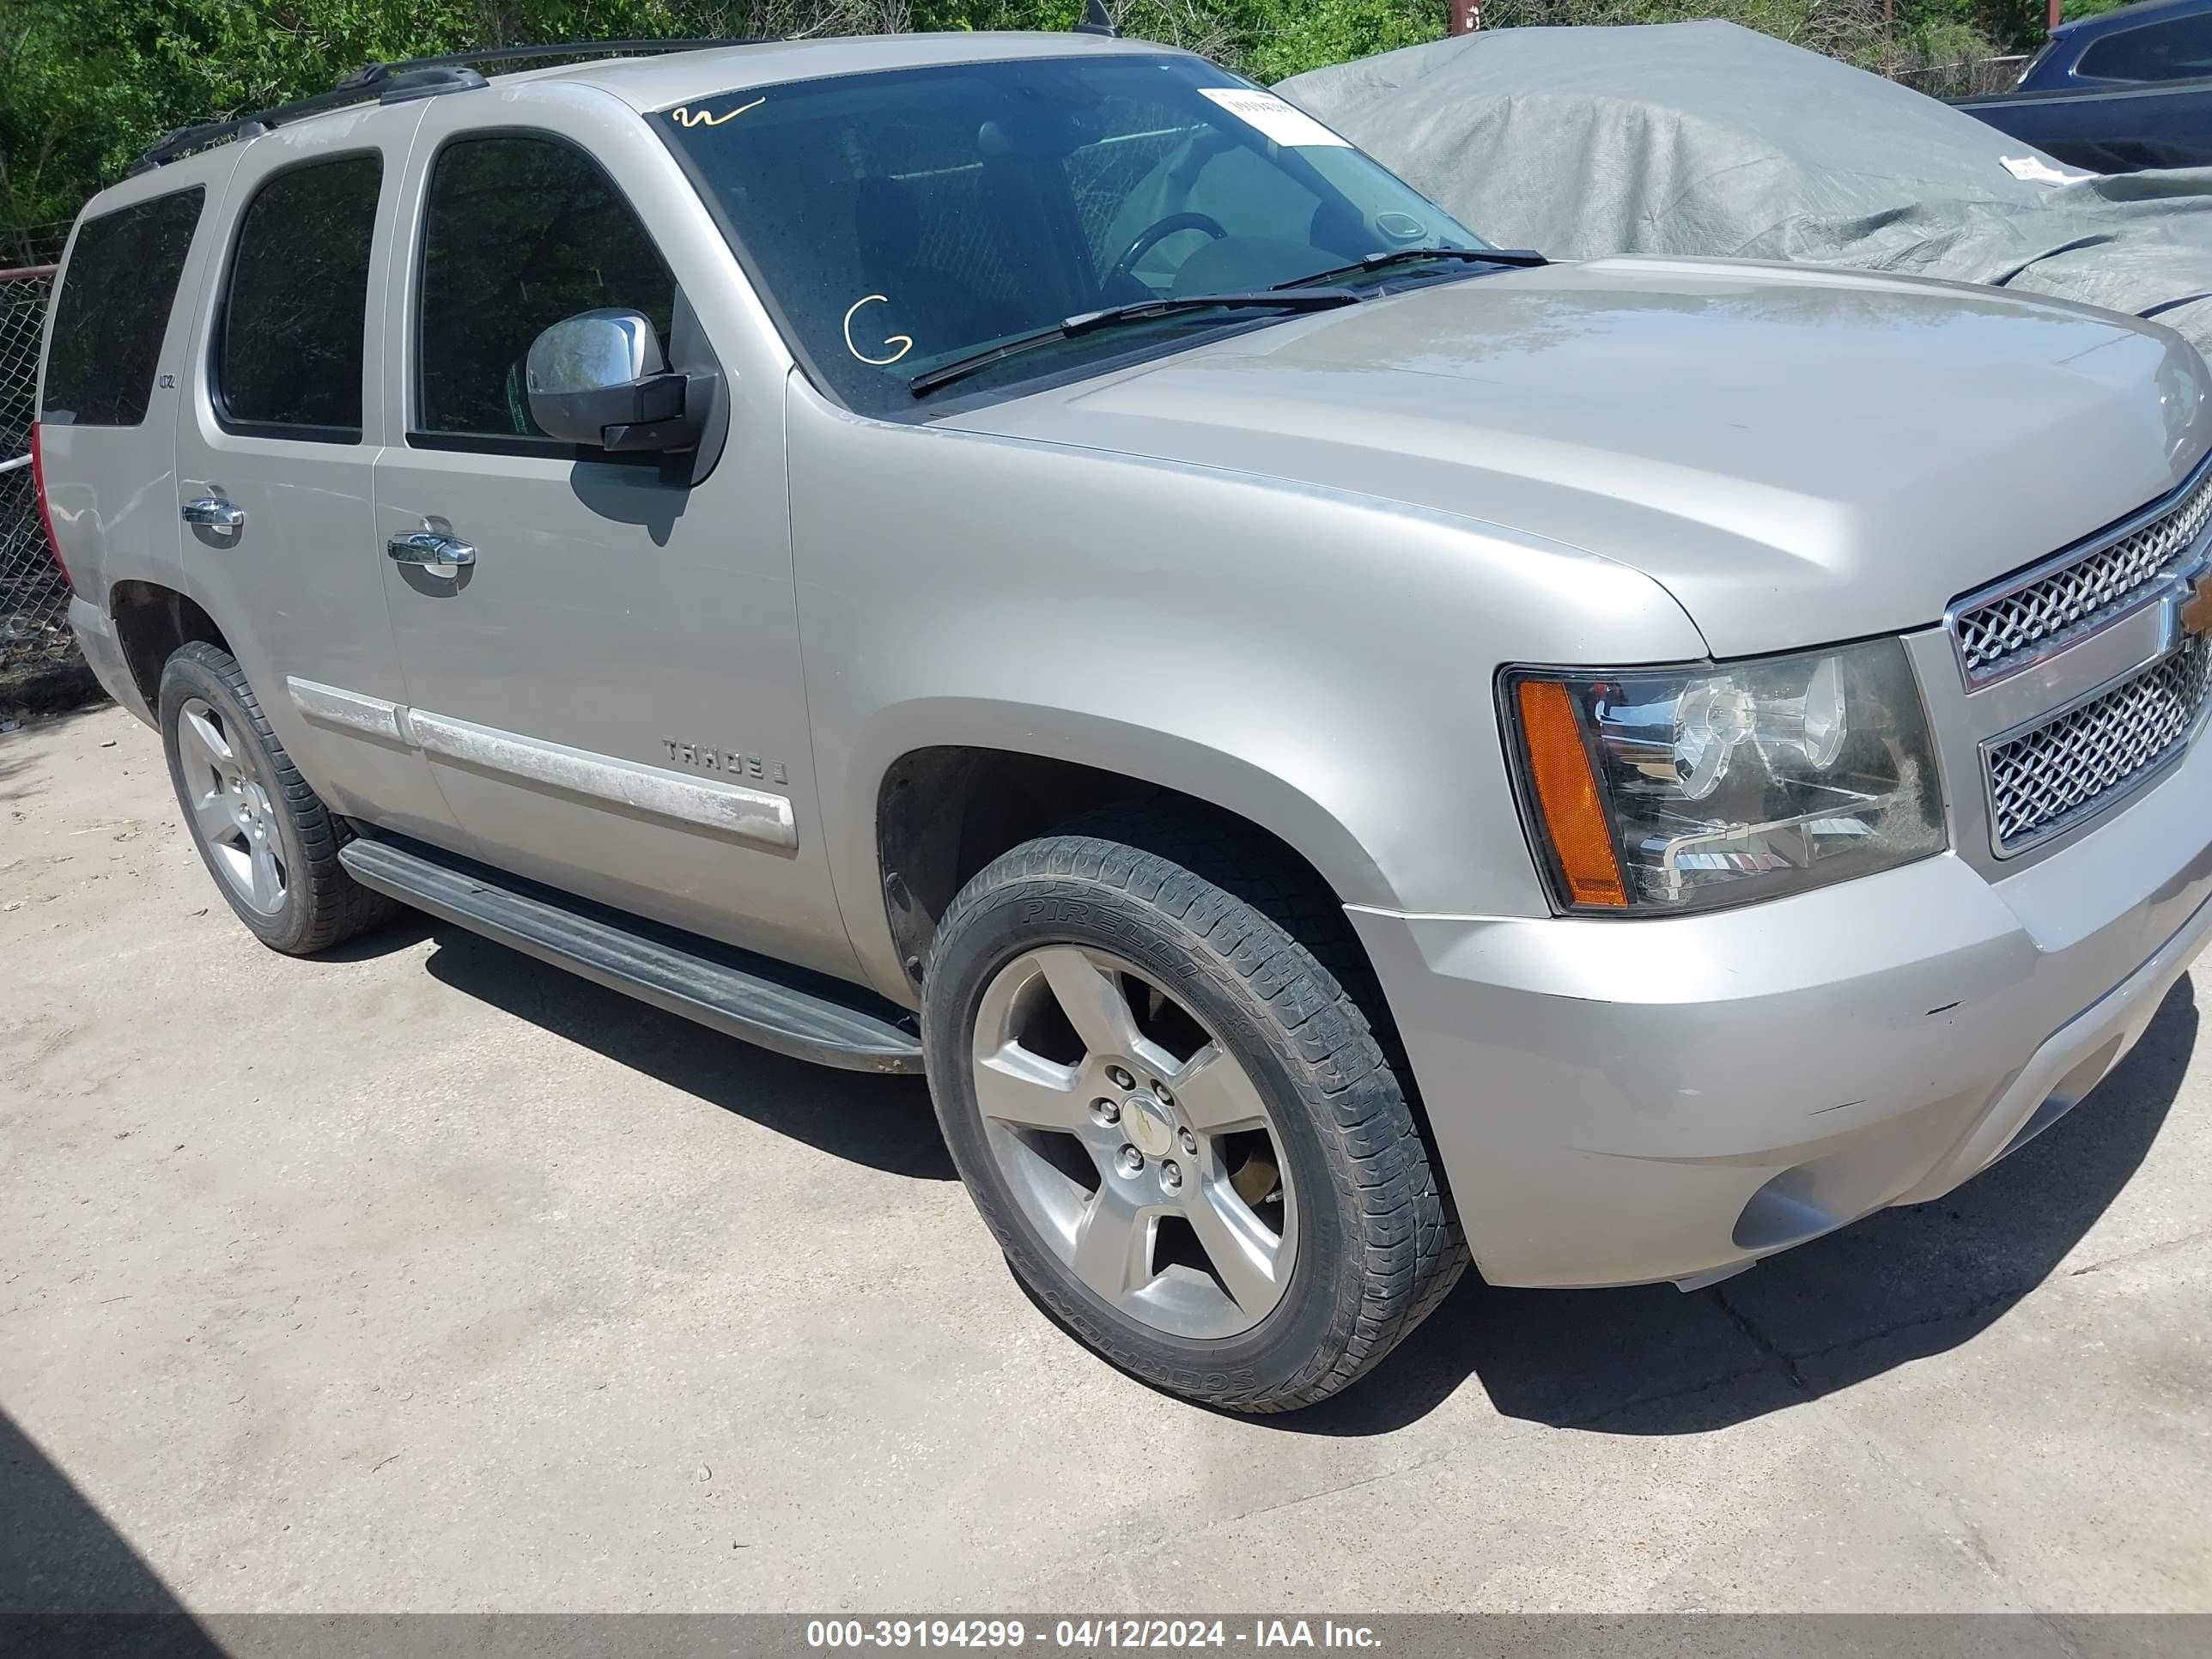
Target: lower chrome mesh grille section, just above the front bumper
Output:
[{"x": 2094, "y": 753}]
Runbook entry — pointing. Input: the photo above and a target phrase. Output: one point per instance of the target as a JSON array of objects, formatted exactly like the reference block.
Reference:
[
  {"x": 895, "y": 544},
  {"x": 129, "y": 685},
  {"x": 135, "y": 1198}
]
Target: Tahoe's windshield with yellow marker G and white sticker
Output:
[{"x": 915, "y": 218}]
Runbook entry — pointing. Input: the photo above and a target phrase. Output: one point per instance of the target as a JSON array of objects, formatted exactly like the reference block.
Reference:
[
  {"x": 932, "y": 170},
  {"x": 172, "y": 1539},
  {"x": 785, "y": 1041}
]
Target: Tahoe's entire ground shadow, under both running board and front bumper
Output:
[{"x": 1888, "y": 1291}]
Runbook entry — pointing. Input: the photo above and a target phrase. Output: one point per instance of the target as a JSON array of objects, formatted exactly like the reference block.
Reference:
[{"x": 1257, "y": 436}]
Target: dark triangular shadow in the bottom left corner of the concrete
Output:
[{"x": 70, "y": 1583}]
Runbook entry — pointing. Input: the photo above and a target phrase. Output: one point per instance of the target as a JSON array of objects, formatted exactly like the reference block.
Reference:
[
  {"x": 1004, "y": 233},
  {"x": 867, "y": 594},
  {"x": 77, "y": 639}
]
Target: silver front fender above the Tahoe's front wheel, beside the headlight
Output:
[{"x": 1313, "y": 660}]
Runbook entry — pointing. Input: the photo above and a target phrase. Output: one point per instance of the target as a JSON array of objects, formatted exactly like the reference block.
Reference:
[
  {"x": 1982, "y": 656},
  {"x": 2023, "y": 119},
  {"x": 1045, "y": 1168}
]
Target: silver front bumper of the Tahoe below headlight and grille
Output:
[{"x": 1638, "y": 1100}]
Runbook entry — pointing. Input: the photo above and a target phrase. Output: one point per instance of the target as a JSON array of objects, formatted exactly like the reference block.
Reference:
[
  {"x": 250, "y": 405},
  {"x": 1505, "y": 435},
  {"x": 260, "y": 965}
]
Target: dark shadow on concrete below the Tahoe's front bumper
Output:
[{"x": 1811, "y": 1322}]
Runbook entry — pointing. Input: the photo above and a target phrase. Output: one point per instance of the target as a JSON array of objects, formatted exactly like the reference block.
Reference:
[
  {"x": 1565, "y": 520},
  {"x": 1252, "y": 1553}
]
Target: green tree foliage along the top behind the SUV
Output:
[{"x": 85, "y": 85}]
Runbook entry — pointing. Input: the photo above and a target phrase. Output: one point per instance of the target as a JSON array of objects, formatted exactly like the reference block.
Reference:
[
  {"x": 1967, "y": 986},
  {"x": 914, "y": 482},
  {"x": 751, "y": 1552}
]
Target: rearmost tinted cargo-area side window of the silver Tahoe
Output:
[{"x": 114, "y": 311}]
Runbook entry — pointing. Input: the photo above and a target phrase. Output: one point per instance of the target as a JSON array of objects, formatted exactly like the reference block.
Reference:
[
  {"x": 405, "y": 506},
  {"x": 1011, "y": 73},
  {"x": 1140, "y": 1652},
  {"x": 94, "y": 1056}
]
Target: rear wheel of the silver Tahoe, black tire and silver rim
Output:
[{"x": 251, "y": 813}]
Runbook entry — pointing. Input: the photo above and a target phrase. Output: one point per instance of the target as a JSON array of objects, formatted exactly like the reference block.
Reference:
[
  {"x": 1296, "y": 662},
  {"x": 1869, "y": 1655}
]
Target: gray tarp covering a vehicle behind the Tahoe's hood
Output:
[{"x": 1702, "y": 138}]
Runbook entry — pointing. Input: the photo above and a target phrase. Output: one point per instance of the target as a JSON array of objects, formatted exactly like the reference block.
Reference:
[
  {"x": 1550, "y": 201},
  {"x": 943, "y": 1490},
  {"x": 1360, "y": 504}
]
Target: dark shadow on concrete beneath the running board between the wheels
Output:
[{"x": 881, "y": 1123}]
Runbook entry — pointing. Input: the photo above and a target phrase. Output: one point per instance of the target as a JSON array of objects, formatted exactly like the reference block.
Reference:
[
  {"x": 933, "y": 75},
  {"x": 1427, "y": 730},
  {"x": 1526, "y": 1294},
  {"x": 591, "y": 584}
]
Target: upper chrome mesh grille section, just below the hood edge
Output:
[{"x": 2049, "y": 607}]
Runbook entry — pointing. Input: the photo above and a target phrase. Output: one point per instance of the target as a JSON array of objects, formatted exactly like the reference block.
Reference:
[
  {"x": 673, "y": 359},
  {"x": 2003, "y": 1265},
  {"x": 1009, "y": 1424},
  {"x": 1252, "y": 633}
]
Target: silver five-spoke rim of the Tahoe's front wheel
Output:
[{"x": 1134, "y": 1142}]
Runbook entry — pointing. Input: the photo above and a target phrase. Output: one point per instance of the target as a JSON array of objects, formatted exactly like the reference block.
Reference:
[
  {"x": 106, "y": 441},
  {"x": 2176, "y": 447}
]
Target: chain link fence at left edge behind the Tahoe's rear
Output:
[{"x": 39, "y": 656}]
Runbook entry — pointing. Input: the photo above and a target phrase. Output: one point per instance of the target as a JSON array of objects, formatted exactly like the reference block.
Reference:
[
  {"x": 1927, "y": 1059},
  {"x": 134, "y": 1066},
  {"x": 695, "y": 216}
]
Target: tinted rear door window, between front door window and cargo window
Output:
[{"x": 300, "y": 286}]
